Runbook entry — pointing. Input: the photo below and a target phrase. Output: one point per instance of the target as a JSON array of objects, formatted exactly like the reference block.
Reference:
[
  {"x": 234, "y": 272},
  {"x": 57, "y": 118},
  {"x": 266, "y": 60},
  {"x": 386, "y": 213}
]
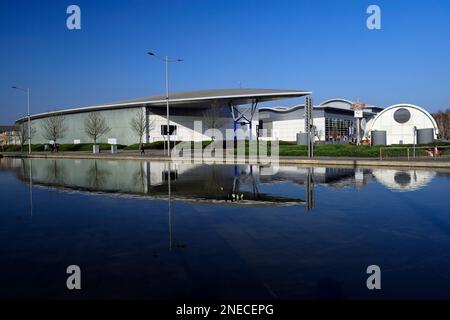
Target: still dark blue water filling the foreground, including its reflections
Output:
[{"x": 157, "y": 231}]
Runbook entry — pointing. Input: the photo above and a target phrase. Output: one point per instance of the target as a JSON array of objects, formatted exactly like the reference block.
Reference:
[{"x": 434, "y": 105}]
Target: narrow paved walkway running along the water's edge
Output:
[{"x": 158, "y": 155}]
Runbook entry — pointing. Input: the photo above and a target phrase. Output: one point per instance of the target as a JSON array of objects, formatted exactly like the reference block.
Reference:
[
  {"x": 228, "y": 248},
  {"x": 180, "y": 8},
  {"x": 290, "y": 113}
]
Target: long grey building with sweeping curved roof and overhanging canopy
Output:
[{"x": 233, "y": 109}]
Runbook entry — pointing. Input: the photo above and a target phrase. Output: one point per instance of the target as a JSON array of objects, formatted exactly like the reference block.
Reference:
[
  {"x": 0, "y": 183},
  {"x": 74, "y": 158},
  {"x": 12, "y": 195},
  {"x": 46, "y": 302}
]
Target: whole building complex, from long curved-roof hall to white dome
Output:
[{"x": 241, "y": 112}]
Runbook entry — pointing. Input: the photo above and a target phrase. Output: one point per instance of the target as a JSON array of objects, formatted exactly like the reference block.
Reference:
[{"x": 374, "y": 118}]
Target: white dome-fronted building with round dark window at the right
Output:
[{"x": 397, "y": 124}]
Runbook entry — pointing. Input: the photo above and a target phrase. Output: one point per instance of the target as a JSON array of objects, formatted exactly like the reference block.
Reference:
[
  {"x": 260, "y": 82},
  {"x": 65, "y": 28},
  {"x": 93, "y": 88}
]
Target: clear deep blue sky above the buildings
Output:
[{"x": 322, "y": 46}]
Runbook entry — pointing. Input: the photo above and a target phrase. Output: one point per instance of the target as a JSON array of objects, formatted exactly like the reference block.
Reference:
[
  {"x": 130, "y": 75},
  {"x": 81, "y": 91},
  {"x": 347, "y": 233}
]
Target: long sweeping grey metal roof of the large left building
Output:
[{"x": 194, "y": 99}]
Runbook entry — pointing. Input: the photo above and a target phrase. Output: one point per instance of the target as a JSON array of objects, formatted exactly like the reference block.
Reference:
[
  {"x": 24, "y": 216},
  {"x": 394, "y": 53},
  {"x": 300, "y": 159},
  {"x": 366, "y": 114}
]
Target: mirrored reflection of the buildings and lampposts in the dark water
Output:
[{"x": 238, "y": 185}]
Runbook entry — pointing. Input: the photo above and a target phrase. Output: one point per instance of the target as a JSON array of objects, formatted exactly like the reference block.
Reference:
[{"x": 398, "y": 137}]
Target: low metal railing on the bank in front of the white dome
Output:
[{"x": 413, "y": 152}]
